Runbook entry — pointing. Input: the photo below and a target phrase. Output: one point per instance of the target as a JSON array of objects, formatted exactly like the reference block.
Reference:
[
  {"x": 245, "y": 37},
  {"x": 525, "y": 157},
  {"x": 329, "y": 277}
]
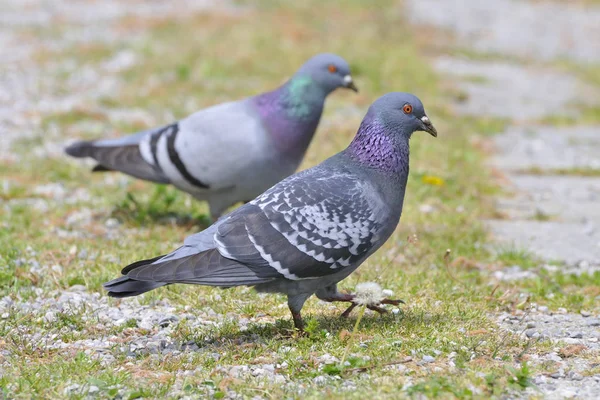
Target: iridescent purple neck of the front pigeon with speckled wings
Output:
[{"x": 373, "y": 148}]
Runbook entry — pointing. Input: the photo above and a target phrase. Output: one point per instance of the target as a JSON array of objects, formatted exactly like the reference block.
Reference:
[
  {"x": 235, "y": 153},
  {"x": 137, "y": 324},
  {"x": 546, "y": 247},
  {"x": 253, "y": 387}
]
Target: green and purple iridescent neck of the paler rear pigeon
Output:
[{"x": 291, "y": 113}]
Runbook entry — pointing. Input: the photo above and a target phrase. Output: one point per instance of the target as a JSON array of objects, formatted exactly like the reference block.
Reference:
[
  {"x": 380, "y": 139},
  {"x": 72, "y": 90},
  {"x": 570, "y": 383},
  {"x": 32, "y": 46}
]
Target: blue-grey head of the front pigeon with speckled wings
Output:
[{"x": 402, "y": 113}]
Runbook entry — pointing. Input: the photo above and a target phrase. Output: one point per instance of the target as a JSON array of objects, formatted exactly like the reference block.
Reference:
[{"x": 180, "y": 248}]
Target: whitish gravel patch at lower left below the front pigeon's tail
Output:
[{"x": 154, "y": 324}]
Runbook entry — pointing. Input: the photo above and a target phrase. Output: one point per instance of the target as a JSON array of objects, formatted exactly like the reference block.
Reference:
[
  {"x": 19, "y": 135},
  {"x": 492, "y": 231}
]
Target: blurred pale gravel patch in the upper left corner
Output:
[{"x": 29, "y": 89}]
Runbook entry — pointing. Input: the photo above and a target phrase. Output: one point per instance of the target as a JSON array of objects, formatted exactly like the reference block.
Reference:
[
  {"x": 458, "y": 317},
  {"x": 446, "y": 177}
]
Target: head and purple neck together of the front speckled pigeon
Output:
[{"x": 382, "y": 139}]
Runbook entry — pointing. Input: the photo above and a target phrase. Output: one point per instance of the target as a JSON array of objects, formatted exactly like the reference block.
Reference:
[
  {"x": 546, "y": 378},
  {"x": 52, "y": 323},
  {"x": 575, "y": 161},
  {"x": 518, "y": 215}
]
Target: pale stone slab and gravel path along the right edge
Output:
[{"x": 554, "y": 217}]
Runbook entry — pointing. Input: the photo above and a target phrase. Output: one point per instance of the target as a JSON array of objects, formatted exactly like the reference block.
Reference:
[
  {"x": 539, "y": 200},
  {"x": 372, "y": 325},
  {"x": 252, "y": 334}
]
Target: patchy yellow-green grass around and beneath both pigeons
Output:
[{"x": 188, "y": 64}]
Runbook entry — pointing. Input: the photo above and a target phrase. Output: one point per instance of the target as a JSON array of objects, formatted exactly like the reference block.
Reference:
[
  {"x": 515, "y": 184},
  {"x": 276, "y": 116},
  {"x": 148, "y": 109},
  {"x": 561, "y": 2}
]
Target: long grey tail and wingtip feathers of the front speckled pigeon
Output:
[{"x": 207, "y": 268}]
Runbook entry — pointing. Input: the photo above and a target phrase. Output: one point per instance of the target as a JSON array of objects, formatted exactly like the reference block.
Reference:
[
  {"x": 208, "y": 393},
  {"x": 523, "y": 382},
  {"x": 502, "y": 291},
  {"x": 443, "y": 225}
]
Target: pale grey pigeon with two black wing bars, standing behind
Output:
[{"x": 233, "y": 151}]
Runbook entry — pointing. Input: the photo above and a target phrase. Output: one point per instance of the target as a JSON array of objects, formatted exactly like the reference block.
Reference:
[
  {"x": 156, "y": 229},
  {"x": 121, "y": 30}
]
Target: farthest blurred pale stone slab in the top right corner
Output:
[{"x": 536, "y": 30}]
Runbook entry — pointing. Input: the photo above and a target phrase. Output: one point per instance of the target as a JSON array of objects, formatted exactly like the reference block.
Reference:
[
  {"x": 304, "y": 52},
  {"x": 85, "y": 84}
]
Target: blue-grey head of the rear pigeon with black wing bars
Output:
[{"x": 329, "y": 71}]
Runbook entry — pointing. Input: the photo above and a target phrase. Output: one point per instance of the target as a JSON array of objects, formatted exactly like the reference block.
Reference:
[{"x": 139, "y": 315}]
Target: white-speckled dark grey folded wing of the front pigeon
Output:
[{"x": 308, "y": 226}]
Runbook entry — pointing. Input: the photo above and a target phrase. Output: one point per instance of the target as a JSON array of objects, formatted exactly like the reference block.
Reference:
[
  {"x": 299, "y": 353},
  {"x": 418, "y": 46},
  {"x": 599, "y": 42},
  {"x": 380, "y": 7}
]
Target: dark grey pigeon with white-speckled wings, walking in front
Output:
[{"x": 309, "y": 231}]
